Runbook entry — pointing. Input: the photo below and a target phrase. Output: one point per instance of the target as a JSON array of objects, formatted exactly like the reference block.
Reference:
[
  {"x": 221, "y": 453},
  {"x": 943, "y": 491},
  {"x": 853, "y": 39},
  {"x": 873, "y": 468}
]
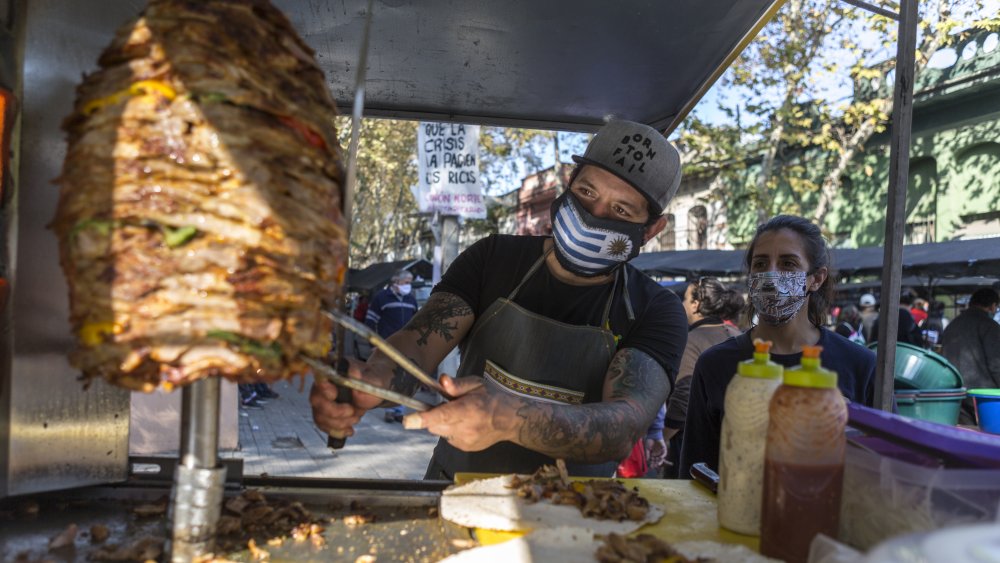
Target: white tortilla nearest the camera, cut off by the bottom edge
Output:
[{"x": 576, "y": 545}]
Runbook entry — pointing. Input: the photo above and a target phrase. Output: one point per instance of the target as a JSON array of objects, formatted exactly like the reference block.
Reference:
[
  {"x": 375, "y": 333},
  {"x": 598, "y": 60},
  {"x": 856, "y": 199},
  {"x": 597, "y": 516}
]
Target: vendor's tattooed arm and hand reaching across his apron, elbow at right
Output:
[{"x": 634, "y": 388}]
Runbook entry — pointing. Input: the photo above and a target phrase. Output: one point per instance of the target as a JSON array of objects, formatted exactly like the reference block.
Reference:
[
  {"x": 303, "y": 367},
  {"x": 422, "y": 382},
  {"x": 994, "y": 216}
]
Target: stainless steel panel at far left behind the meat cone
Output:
[{"x": 58, "y": 436}]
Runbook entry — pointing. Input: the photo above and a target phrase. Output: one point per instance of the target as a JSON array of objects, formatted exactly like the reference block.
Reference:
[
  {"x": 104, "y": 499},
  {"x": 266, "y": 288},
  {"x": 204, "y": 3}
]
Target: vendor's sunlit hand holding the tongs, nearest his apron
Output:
[{"x": 475, "y": 420}]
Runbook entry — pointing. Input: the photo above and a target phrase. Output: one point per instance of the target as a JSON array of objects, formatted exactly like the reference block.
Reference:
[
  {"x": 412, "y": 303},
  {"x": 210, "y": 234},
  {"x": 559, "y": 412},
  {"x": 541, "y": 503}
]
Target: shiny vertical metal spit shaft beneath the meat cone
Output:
[{"x": 199, "y": 481}]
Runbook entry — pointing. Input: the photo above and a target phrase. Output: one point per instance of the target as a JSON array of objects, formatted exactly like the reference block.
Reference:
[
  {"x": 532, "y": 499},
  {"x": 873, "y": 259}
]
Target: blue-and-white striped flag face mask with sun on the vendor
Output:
[{"x": 590, "y": 246}]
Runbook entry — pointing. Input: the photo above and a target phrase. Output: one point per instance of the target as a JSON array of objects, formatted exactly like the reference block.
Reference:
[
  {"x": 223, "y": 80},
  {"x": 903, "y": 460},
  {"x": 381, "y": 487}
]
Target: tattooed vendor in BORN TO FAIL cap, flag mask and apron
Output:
[{"x": 567, "y": 350}]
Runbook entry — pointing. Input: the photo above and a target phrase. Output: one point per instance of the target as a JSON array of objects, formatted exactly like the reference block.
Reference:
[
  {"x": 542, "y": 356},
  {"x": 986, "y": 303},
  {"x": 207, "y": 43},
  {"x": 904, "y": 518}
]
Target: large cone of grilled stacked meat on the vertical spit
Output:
[{"x": 199, "y": 217}]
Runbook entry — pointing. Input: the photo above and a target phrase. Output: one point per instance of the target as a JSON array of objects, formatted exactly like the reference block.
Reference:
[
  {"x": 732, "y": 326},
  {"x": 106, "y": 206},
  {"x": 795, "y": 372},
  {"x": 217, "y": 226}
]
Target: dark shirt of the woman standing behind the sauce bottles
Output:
[{"x": 855, "y": 367}]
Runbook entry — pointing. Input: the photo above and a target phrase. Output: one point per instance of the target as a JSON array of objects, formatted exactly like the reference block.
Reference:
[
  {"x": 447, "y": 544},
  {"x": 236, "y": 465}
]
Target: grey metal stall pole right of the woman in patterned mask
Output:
[{"x": 895, "y": 222}]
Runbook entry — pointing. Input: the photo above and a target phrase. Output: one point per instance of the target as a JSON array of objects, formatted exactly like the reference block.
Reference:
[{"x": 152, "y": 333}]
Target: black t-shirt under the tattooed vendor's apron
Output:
[{"x": 492, "y": 267}]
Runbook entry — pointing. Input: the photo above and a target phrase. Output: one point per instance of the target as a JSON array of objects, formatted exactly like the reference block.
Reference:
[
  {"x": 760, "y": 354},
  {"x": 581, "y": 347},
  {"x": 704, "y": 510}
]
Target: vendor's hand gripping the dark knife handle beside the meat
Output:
[{"x": 338, "y": 419}]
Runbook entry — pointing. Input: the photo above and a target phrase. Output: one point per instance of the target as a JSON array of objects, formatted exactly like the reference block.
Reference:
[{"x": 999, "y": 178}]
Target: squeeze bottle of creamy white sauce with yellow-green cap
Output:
[{"x": 744, "y": 432}]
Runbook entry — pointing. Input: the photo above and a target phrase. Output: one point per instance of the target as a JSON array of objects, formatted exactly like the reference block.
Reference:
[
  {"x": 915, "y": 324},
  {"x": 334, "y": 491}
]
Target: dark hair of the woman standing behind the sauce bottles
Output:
[{"x": 817, "y": 254}]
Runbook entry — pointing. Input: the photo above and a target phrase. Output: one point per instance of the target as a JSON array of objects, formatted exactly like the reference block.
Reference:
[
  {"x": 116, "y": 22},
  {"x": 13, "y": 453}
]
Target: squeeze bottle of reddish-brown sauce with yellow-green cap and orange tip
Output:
[{"x": 804, "y": 460}]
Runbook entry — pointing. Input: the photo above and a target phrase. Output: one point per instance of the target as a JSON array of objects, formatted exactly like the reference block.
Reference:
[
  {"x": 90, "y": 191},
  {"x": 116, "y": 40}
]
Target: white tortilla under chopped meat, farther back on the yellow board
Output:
[{"x": 490, "y": 504}]
